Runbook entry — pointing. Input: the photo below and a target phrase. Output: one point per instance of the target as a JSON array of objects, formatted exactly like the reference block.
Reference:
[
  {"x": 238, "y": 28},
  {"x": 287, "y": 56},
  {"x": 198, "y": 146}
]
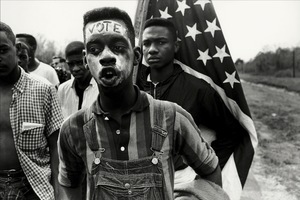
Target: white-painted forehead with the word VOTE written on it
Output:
[{"x": 105, "y": 27}]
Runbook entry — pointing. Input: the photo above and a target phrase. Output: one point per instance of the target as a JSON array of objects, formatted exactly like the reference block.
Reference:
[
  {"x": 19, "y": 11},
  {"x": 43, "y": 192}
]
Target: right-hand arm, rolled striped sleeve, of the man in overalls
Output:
[{"x": 198, "y": 153}]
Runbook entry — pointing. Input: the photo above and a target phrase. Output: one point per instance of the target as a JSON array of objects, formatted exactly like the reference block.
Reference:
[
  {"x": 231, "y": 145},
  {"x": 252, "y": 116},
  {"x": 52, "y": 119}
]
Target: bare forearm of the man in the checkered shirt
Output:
[{"x": 52, "y": 141}]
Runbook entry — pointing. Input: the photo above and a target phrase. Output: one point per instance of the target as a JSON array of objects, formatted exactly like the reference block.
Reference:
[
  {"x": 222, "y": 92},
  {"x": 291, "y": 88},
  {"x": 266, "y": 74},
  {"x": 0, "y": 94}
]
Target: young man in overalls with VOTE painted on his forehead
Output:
[{"x": 126, "y": 140}]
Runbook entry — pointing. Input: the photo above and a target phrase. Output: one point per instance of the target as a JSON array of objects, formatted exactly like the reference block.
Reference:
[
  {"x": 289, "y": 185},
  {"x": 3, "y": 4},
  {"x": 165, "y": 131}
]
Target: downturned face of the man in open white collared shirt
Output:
[{"x": 76, "y": 66}]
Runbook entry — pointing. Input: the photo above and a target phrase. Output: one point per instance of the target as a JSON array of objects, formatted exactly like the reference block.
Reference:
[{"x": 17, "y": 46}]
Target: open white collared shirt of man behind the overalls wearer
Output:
[{"x": 69, "y": 100}]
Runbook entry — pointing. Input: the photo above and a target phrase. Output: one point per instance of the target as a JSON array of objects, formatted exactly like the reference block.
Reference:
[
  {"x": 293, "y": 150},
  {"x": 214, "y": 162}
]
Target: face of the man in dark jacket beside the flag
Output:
[{"x": 159, "y": 46}]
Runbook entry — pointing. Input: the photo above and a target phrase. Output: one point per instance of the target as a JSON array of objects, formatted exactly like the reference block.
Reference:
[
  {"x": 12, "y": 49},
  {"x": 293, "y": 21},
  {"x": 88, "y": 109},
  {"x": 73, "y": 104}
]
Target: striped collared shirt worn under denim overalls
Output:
[{"x": 131, "y": 139}]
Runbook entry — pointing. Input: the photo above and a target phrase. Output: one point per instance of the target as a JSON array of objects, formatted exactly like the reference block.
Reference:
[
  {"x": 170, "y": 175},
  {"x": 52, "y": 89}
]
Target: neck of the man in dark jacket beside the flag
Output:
[{"x": 160, "y": 74}]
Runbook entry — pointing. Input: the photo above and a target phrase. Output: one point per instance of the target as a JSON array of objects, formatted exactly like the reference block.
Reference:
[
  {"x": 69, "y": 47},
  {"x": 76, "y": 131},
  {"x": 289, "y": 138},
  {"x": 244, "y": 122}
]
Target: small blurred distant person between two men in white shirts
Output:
[{"x": 61, "y": 68}]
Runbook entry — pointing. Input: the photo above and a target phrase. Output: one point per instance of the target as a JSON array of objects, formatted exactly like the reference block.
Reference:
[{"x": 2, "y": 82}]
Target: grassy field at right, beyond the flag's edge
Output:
[{"x": 276, "y": 114}]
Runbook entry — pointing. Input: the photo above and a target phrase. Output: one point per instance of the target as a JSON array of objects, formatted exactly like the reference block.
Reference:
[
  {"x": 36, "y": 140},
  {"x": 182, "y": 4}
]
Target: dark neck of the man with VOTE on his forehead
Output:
[{"x": 119, "y": 100}]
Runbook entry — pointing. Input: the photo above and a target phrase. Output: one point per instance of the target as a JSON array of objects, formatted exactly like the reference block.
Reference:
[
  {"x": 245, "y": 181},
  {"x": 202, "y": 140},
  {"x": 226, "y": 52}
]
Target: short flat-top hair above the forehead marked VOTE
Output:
[{"x": 110, "y": 13}]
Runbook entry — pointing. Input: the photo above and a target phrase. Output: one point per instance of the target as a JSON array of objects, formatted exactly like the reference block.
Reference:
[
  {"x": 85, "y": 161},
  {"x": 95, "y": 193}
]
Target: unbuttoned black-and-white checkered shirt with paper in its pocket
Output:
[{"x": 35, "y": 114}]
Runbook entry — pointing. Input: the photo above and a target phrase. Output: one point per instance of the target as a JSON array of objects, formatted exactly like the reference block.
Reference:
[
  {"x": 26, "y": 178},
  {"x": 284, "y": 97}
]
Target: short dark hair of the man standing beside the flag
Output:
[{"x": 162, "y": 22}]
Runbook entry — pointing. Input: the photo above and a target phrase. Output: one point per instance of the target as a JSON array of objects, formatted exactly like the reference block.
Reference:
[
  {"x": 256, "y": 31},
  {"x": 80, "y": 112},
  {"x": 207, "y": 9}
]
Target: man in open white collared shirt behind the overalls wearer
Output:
[{"x": 80, "y": 91}]
